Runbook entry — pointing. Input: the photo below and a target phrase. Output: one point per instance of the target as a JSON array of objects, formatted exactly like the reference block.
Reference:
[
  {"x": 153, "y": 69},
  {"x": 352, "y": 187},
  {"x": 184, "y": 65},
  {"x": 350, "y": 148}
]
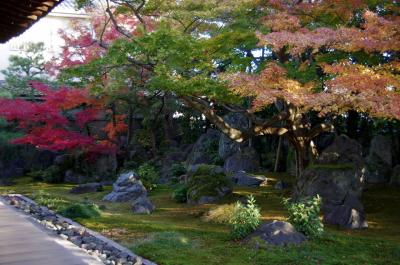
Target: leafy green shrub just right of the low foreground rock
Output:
[{"x": 304, "y": 215}]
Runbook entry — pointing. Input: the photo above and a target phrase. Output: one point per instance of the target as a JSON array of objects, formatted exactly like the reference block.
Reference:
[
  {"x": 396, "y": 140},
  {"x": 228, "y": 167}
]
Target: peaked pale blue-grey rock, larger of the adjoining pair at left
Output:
[{"x": 127, "y": 188}]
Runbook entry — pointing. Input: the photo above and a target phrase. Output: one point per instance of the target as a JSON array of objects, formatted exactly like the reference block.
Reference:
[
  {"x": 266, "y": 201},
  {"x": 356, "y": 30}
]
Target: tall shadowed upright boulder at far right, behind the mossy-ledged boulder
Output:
[{"x": 379, "y": 160}]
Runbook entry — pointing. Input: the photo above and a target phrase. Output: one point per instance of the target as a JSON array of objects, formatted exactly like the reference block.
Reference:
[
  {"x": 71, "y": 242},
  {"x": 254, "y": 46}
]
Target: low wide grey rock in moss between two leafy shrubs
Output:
[{"x": 278, "y": 233}]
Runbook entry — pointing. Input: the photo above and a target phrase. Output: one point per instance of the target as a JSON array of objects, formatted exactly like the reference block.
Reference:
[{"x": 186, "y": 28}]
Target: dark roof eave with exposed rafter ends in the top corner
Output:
[{"x": 16, "y": 16}]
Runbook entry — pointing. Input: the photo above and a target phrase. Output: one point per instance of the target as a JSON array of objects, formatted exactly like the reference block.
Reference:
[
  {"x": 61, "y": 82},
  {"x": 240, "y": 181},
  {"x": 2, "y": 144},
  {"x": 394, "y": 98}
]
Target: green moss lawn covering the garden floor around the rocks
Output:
[{"x": 175, "y": 233}]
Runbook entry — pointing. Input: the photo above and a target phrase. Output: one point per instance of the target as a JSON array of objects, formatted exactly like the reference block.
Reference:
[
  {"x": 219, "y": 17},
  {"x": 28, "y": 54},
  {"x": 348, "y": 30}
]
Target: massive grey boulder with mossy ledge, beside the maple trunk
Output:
[{"x": 338, "y": 177}]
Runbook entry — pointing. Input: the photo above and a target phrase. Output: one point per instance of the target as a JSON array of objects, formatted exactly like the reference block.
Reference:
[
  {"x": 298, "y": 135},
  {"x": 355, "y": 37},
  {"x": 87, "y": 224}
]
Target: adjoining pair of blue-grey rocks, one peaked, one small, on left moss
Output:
[{"x": 128, "y": 188}]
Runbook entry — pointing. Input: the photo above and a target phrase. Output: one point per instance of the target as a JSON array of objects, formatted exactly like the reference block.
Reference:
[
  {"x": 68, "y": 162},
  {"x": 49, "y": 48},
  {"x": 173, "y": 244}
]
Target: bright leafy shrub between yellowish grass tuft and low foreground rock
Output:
[{"x": 246, "y": 218}]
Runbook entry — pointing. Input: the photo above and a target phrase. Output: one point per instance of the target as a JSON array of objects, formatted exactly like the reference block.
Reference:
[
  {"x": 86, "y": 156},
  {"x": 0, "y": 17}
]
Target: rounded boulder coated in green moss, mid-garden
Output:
[{"x": 206, "y": 186}]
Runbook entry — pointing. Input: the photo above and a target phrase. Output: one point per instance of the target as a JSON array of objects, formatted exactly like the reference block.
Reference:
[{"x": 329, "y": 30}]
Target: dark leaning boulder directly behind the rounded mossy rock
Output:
[{"x": 205, "y": 150}]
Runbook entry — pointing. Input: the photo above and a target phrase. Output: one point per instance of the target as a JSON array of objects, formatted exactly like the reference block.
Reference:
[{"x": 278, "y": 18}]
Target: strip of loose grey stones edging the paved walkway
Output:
[{"x": 106, "y": 250}]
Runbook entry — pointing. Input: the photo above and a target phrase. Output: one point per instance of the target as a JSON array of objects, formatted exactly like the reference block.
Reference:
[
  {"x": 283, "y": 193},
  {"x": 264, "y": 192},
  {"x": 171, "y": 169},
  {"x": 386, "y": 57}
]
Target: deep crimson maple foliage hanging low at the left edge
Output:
[{"x": 61, "y": 121}]
